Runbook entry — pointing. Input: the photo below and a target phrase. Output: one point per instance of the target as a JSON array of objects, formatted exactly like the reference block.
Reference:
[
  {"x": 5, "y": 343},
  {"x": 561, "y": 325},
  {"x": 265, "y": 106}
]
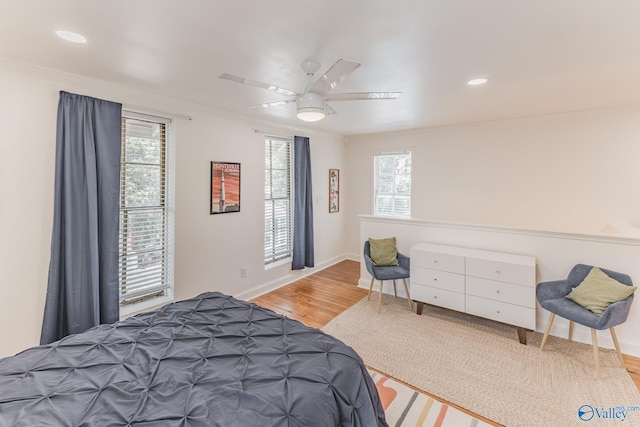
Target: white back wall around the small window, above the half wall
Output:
[{"x": 567, "y": 172}]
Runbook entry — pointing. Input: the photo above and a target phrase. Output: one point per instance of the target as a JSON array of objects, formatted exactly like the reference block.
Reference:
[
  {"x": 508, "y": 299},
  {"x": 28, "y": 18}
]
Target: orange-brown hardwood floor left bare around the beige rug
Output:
[{"x": 316, "y": 299}]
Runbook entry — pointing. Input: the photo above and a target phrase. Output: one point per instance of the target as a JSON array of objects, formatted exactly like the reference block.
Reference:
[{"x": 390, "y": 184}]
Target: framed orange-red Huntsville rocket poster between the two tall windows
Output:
[{"x": 225, "y": 187}]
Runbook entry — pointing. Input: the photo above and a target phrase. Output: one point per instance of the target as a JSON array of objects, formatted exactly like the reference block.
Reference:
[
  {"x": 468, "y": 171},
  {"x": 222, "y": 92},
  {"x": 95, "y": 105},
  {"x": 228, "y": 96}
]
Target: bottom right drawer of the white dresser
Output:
[{"x": 501, "y": 312}]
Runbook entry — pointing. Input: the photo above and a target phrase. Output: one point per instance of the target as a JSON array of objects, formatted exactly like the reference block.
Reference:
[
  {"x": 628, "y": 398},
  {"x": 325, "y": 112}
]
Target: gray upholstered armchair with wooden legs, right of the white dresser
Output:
[{"x": 551, "y": 296}]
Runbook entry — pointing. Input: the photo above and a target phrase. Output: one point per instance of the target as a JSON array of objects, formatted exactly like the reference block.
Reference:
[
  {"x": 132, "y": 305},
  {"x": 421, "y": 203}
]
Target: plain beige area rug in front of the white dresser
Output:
[{"x": 481, "y": 366}]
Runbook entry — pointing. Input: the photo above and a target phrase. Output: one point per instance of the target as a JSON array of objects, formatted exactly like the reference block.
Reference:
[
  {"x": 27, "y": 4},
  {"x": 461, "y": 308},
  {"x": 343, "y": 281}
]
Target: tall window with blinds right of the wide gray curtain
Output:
[{"x": 146, "y": 221}]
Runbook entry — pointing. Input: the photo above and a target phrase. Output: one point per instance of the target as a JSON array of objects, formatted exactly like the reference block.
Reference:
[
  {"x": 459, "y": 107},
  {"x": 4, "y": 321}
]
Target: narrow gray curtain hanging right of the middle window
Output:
[{"x": 303, "y": 205}]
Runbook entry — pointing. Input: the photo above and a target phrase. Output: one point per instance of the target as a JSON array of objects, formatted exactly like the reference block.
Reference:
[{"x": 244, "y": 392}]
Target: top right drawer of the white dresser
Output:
[{"x": 521, "y": 274}]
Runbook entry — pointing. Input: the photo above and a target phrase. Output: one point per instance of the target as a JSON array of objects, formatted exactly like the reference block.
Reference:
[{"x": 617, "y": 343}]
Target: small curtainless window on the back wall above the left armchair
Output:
[{"x": 392, "y": 184}]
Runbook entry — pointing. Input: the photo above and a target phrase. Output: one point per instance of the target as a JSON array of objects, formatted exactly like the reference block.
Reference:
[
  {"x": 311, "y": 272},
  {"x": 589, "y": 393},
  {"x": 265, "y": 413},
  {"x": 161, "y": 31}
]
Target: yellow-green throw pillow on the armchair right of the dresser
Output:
[{"x": 598, "y": 291}]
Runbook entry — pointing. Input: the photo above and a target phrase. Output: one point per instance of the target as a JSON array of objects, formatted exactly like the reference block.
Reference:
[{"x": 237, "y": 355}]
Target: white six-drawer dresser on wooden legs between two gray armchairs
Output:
[{"x": 492, "y": 285}]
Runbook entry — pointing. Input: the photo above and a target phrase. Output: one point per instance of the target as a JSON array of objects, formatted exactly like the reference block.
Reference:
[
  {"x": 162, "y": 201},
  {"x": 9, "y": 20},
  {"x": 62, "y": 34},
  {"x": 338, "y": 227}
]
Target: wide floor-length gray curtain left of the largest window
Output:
[{"x": 83, "y": 272}]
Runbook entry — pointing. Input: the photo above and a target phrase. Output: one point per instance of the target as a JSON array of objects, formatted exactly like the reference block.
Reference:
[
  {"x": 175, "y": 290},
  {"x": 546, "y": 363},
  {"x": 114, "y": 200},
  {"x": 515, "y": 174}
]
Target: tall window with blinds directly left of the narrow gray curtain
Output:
[{"x": 278, "y": 200}]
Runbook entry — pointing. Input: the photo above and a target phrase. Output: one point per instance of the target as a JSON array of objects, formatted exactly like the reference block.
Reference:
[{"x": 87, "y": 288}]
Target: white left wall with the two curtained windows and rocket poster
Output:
[{"x": 210, "y": 249}]
